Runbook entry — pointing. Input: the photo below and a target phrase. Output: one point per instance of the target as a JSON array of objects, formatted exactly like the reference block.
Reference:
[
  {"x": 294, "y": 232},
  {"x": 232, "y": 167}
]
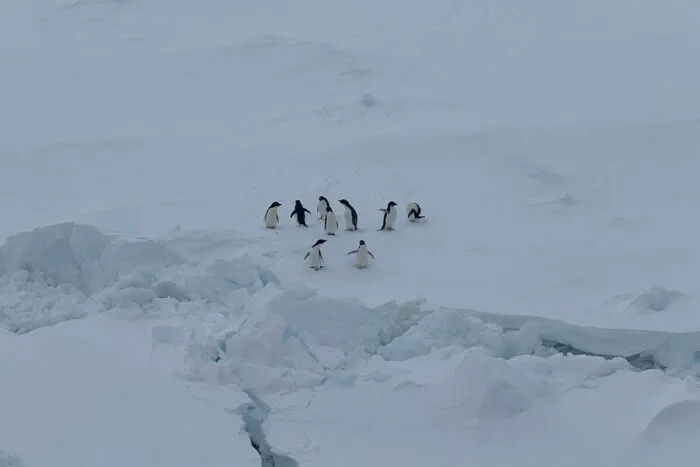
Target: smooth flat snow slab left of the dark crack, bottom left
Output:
[{"x": 97, "y": 391}]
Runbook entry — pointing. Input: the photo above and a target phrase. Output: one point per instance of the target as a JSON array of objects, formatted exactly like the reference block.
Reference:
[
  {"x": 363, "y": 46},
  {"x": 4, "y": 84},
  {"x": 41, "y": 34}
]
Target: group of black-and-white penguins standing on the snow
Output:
[{"x": 330, "y": 226}]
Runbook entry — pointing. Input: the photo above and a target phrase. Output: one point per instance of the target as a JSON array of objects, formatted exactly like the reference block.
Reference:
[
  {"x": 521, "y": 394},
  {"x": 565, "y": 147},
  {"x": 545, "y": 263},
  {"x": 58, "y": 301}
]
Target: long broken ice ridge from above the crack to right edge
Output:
[{"x": 286, "y": 339}]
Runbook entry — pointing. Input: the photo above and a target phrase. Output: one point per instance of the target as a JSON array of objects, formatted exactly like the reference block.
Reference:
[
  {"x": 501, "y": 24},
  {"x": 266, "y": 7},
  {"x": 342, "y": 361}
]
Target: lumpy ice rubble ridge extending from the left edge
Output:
[{"x": 68, "y": 271}]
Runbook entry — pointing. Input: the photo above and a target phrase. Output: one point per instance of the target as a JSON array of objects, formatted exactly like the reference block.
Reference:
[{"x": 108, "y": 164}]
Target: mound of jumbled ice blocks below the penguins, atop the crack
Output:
[{"x": 291, "y": 339}]
